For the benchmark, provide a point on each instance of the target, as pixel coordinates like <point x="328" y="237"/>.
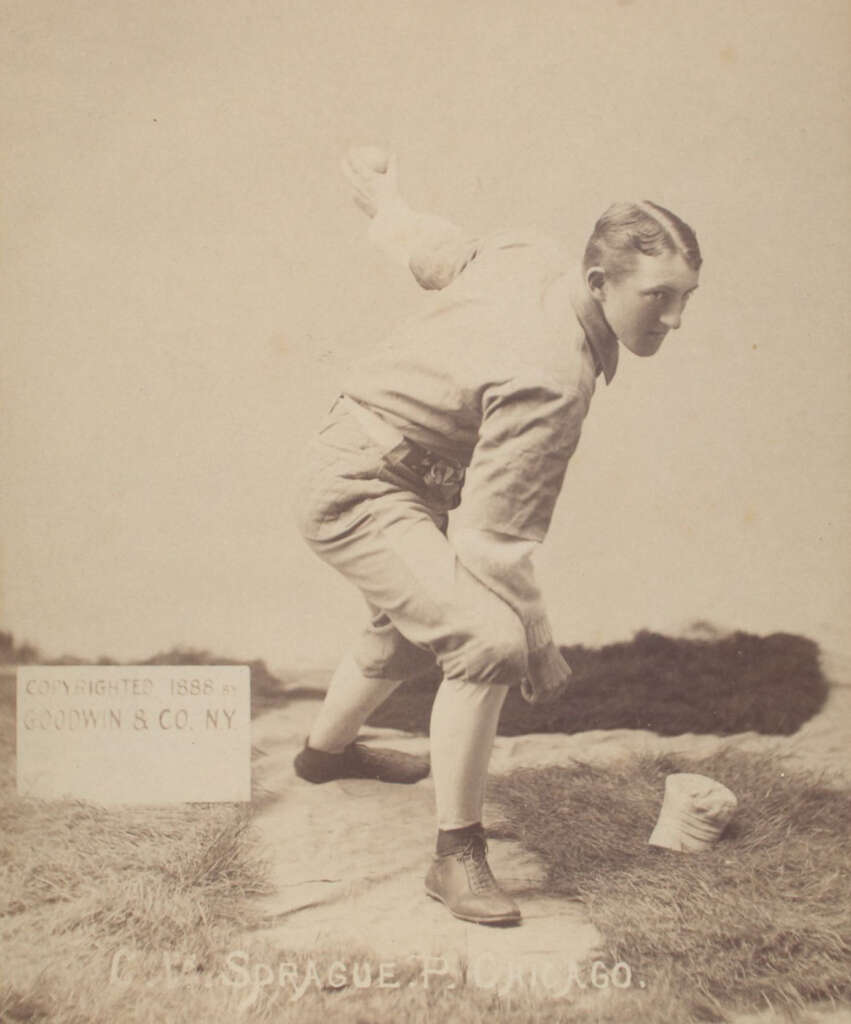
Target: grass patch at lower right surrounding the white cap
<point x="761" y="920"/>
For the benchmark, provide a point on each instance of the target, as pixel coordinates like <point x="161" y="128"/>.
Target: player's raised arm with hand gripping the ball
<point x="434" y="249"/>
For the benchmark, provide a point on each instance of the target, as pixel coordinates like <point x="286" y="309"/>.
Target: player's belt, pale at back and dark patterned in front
<point x="411" y="460"/>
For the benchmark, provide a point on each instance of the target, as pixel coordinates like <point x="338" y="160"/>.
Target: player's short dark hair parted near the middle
<point x="626" y="229"/>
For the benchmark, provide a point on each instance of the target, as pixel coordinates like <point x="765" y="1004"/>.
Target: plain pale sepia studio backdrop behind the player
<point x="185" y="281"/>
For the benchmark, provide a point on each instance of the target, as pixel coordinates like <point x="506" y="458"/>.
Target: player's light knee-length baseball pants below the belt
<point x="391" y="541"/>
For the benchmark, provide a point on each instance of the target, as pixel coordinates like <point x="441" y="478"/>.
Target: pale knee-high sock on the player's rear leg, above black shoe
<point x="352" y="698"/>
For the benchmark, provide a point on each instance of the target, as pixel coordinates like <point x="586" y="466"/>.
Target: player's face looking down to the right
<point x="648" y="302"/>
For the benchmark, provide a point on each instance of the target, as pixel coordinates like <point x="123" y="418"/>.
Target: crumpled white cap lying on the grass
<point x="695" y="814"/>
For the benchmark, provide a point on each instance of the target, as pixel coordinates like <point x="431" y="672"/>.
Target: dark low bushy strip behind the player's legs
<point x="709" y="685"/>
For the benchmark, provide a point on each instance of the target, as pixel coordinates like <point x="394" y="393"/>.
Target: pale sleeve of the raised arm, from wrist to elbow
<point x="434" y="249"/>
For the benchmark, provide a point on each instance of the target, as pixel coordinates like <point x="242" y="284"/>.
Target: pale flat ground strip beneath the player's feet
<point x="349" y="862"/>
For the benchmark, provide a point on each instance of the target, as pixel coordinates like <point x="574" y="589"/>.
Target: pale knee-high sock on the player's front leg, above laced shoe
<point x="464" y="720"/>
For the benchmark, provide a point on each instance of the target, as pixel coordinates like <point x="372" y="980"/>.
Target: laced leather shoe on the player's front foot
<point x="463" y="882"/>
